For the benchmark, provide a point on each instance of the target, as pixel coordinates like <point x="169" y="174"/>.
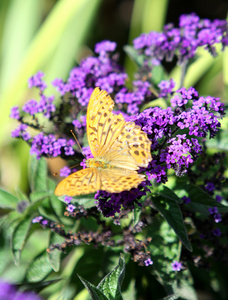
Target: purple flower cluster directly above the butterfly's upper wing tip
<point x="102" y="71"/>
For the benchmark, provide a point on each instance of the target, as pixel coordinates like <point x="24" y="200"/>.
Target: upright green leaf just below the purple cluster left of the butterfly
<point x="38" y="174"/>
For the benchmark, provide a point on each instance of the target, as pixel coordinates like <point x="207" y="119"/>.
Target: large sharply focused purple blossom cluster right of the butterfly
<point x="198" y="115"/>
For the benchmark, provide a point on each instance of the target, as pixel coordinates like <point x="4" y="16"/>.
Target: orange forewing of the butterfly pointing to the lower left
<point x="85" y="181"/>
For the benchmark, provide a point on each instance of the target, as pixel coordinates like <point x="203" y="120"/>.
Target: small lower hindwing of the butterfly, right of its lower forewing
<point x="119" y="180"/>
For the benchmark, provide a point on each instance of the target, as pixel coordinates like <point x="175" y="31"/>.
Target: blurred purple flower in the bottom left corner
<point x="9" y="292"/>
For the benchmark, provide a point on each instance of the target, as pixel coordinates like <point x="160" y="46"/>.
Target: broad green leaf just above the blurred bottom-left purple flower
<point x="39" y="269"/>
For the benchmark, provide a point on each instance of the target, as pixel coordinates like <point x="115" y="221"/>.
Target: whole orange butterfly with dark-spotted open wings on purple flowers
<point x="119" y="148"/>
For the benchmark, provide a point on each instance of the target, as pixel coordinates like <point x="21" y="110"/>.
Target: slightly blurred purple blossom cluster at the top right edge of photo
<point x="182" y="41"/>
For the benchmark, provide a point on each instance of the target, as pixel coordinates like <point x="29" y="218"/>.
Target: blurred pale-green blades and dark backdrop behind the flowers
<point x="52" y="36"/>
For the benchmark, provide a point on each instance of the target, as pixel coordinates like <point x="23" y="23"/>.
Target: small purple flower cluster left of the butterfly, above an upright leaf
<point x="48" y="145"/>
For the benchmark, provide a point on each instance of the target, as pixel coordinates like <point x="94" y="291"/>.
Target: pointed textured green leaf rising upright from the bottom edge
<point x="111" y="283"/>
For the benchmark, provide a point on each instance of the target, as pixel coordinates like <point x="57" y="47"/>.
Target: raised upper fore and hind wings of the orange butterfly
<point x="111" y="137"/>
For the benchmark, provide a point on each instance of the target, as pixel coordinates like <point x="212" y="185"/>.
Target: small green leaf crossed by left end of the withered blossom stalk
<point x="55" y="255"/>
